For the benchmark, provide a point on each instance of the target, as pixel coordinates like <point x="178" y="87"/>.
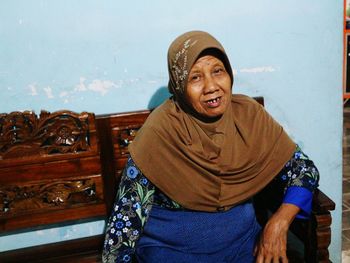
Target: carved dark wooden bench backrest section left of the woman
<point x="50" y="169"/>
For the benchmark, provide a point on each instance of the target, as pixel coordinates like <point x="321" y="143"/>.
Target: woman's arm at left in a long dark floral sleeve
<point x="129" y="215"/>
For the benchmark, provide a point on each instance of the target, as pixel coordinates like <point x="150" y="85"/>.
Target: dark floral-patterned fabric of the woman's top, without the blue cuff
<point x="136" y="195"/>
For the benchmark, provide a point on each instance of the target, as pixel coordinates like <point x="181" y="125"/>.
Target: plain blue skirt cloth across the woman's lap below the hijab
<point x="189" y="236"/>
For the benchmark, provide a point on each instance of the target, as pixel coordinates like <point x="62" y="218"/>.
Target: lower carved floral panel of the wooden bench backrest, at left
<point x="14" y="198"/>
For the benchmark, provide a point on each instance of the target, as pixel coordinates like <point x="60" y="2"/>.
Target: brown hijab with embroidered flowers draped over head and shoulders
<point x="208" y="166"/>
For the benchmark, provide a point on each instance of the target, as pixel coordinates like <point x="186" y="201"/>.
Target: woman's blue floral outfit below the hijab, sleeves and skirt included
<point x="138" y="201"/>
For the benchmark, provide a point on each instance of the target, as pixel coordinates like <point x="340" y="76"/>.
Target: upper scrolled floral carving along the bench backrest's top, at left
<point x="25" y="134"/>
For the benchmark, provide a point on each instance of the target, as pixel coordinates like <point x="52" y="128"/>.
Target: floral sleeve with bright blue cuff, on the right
<point x="300" y="178"/>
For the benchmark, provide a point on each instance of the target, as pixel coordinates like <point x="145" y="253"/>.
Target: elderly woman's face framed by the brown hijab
<point x="208" y="89"/>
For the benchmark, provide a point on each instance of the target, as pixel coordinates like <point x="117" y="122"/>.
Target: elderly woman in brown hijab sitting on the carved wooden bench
<point x="185" y="193"/>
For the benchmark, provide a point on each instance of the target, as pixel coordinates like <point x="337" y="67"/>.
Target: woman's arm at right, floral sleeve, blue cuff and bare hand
<point x="299" y="177"/>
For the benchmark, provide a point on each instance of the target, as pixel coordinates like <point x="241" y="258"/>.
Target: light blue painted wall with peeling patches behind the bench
<point x="110" y="56"/>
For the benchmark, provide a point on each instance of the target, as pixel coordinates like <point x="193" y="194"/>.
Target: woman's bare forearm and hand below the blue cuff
<point x="272" y="245"/>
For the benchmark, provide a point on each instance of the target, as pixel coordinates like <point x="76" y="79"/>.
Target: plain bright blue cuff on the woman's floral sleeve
<point x="302" y="198"/>
